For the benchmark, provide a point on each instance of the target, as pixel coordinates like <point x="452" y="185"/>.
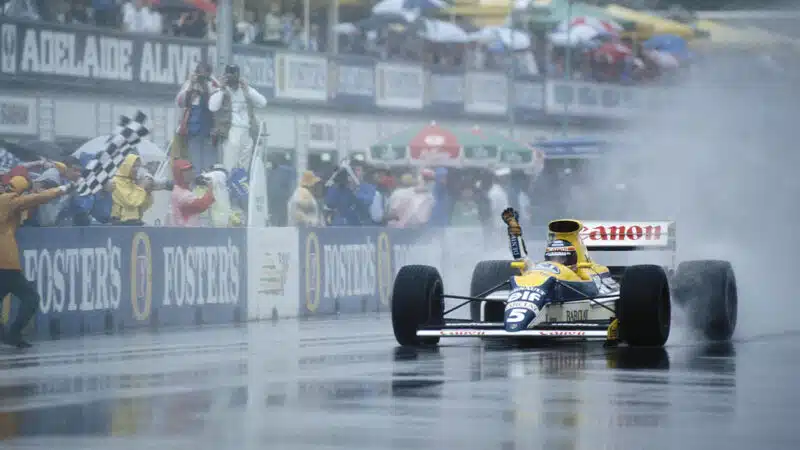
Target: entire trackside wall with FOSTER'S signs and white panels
<point x="116" y="279"/>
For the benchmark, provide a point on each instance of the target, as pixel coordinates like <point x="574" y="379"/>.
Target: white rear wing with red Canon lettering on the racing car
<point x="628" y="236"/>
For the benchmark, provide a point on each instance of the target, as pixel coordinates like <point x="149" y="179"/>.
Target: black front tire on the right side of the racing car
<point x="643" y="308"/>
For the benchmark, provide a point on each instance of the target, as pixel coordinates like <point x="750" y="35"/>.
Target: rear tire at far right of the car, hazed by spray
<point x="708" y="290"/>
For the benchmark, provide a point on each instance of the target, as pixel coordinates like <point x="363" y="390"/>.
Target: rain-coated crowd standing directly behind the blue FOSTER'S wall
<point x="355" y="193"/>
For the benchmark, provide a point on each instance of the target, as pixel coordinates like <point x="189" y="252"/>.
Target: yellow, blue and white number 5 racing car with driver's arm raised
<point x="567" y="295"/>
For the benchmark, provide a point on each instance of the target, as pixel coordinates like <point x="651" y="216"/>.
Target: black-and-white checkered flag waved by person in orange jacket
<point x="119" y="145"/>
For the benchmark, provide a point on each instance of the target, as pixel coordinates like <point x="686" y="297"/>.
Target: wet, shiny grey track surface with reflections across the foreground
<point x="343" y="384"/>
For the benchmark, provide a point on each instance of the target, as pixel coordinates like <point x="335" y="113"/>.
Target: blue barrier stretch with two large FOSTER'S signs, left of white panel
<point x="111" y="279"/>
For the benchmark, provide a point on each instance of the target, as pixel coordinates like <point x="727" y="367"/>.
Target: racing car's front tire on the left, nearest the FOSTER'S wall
<point x="416" y="301"/>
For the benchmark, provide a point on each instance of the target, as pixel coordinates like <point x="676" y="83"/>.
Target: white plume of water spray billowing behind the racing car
<point x="720" y="156"/>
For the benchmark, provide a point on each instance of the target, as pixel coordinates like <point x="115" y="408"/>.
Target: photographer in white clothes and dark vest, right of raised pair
<point x="235" y="124"/>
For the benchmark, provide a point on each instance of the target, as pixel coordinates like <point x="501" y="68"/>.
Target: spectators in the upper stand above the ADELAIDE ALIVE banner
<point x="608" y="58"/>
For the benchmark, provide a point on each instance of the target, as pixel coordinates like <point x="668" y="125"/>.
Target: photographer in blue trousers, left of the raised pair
<point x="193" y="140"/>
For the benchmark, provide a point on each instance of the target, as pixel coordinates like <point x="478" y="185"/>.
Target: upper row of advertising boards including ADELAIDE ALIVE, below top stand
<point x="74" y="57"/>
